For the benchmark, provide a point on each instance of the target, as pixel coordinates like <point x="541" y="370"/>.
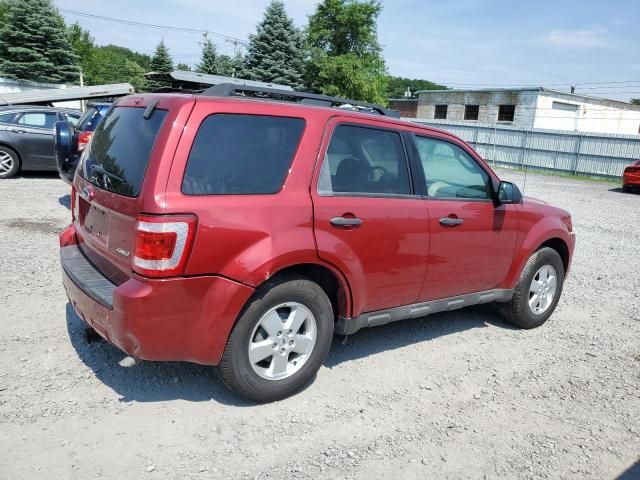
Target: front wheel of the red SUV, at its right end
<point x="518" y="311"/>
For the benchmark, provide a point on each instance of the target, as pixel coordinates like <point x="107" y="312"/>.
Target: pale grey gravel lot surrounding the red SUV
<point x="456" y="395"/>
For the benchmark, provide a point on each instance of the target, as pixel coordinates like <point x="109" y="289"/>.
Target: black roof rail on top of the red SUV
<point x="262" y="92"/>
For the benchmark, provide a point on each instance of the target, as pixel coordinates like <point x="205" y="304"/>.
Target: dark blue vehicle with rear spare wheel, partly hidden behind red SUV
<point x="71" y="138"/>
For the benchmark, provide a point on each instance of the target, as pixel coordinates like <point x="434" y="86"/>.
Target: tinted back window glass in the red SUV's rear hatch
<point x="120" y="149"/>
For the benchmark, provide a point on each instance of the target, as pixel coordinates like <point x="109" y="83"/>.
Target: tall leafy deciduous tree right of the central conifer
<point x="345" y="58"/>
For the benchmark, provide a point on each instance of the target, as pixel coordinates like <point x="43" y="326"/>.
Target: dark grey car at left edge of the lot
<point x="26" y="137"/>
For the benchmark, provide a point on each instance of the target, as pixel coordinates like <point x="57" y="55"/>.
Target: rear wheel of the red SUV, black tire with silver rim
<point x="280" y="300"/>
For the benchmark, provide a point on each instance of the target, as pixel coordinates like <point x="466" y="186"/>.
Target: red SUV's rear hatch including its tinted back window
<point x="122" y="174"/>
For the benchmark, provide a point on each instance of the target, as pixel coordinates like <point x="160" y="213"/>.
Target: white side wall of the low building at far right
<point x="560" y="112"/>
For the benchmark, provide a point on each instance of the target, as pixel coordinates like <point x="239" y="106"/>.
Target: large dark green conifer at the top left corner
<point x="34" y="44"/>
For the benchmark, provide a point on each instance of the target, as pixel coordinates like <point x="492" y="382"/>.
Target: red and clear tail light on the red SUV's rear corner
<point x="163" y="244"/>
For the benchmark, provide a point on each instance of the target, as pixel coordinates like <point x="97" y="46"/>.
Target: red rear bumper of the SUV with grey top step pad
<point x="180" y="319"/>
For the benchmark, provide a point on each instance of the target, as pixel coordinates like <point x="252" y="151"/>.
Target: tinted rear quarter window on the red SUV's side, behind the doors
<point x="241" y="154"/>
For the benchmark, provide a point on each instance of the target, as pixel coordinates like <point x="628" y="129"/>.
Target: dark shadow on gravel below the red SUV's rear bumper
<point x="147" y="381"/>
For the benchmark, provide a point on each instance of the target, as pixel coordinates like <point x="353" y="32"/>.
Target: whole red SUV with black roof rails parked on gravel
<point x="244" y="226"/>
